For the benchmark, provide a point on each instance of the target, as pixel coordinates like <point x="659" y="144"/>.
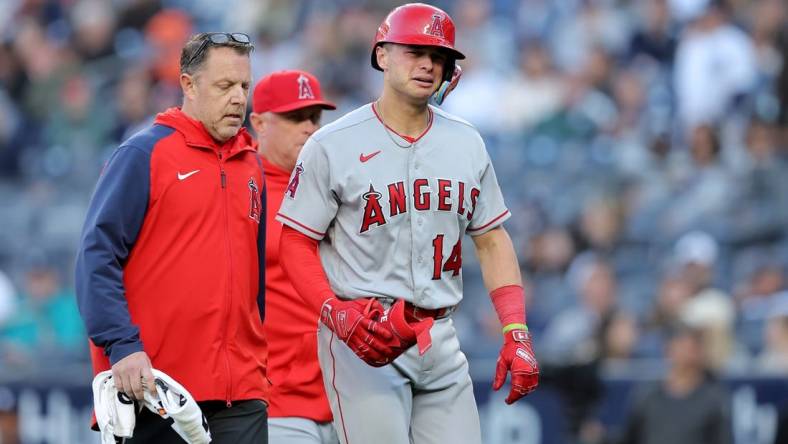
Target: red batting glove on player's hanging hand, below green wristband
<point x="517" y="357"/>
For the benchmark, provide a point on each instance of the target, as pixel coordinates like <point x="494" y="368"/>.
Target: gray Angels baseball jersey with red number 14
<point x="392" y="212"/>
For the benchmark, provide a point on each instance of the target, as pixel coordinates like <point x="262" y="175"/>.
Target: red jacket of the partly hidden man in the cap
<point x="291" y="325"/>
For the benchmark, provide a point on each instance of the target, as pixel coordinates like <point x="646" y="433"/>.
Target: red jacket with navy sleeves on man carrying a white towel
<point x="171" y="259"/>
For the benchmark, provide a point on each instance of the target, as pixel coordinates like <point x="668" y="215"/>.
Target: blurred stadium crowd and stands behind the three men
<point x="641" y="145"/>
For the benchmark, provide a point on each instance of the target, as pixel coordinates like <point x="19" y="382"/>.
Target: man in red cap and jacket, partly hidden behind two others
<point x="287" y="106"/>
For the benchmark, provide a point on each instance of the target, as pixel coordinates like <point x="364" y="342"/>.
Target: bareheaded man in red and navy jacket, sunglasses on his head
<point x="169" y="271"/>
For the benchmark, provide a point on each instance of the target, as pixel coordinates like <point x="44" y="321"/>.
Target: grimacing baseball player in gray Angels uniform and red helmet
<point x="375" y="213"/>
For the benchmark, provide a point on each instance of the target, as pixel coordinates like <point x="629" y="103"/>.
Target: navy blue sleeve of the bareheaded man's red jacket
<point x="115" y="216"/>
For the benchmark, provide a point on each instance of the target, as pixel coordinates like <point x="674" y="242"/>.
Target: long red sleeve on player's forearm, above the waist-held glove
<point x="300" y="260"/>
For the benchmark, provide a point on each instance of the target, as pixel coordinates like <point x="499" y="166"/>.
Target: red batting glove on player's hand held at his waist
<point x="355" y="323"/>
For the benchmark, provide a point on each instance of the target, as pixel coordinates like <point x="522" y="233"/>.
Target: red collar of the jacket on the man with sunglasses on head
<point x="197" y="136"/>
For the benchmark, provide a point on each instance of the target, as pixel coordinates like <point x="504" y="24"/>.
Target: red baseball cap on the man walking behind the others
<point x="285" y="91"/>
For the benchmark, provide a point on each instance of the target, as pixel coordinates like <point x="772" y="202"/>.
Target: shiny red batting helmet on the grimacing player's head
<point x="418" y="24"/>
